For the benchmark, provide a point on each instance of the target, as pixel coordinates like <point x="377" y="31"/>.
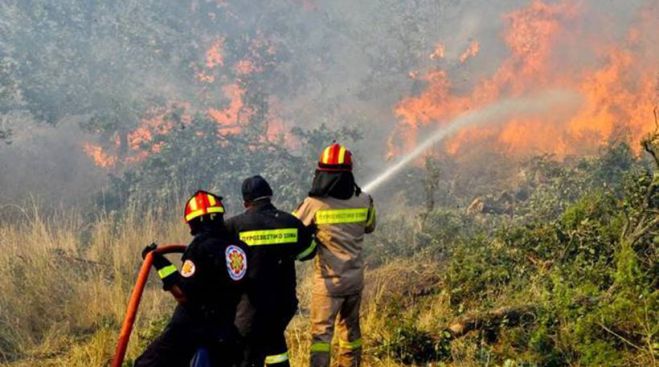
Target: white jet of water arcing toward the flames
<point x="495" y="112"/>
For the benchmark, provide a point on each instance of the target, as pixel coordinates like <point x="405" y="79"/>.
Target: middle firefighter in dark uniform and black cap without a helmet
<point x="275" y="239"/>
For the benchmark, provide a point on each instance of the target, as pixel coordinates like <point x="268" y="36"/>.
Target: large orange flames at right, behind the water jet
<point x="613" y="78"/>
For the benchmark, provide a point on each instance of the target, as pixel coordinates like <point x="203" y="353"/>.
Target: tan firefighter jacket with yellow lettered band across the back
<point x="339" y="266"/>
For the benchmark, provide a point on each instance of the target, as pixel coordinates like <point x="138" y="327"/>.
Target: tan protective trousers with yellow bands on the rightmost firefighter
<point x="324" y="312"/>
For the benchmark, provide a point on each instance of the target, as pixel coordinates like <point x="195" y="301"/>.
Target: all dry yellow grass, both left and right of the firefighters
<point x="66" y="279"/>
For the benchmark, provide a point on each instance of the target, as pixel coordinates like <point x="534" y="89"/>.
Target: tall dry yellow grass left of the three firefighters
<point x="65" y="283"/>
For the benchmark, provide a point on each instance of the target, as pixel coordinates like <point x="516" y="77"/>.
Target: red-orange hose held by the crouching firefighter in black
<point x="134" y="302"/>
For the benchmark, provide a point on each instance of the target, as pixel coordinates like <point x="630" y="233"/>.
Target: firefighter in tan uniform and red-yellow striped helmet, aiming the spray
<point x="342" y="214"/>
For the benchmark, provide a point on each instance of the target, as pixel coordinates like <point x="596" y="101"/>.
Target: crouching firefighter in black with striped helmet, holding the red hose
<point x="207" y="288"/>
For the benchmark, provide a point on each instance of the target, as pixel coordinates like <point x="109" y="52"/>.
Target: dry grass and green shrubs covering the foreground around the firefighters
<point x="565" y="276"/>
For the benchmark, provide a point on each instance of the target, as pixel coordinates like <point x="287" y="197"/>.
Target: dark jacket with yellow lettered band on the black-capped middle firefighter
<point x="275" y="239"/>
